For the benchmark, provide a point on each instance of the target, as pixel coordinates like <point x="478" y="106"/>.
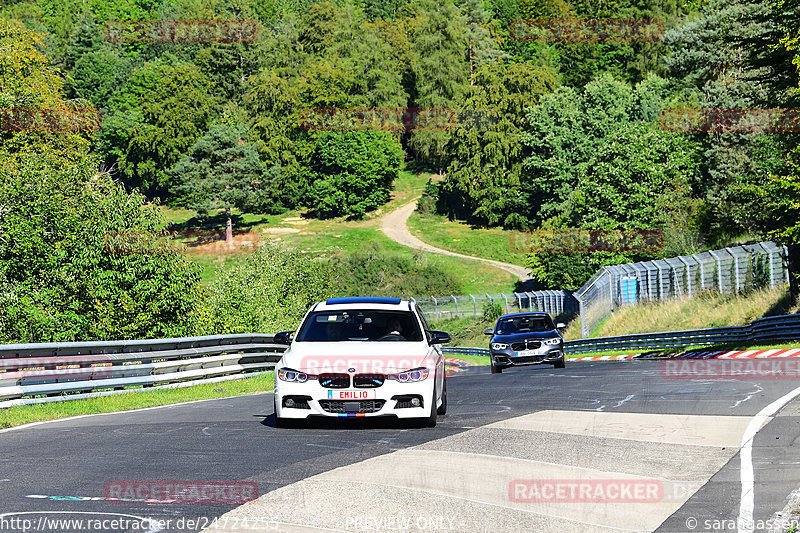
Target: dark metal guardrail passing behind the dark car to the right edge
<point x="772" y="329"/>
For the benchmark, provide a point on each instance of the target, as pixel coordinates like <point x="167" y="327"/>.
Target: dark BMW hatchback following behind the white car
<point x="521" y="339"/>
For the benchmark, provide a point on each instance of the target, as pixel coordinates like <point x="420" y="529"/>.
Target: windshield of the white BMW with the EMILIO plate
<point x="360" y="325"/>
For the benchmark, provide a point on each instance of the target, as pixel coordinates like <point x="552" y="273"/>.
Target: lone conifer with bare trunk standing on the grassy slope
<point x="223" y="170"/>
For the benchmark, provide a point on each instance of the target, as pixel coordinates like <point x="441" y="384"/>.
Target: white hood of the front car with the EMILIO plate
<point x="367" y="358"/>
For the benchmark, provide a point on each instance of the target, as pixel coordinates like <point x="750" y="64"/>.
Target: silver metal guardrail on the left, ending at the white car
<point x="40" y="373"/>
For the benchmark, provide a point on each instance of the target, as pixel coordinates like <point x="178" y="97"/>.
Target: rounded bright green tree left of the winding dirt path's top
<point x="353" y="172"/>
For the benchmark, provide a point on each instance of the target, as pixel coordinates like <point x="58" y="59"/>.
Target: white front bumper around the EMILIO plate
<point x="390" y="399"/>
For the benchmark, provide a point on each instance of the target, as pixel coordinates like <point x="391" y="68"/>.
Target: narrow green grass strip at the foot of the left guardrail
<point x="25" y="414"/>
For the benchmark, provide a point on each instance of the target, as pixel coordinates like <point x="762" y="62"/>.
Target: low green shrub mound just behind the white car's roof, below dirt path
<point x="372" y="271"/>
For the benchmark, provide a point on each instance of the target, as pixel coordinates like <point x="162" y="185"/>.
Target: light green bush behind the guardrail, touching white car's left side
<point x="269" y="290"/>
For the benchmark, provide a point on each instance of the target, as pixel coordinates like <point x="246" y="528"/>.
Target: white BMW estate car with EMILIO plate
<point x="361" y="357"/>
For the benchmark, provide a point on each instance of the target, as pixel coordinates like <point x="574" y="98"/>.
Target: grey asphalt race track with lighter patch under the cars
<point x="503" y="459"/>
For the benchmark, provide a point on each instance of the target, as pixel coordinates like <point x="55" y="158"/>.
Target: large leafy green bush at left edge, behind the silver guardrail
<point x="59" y="281"/>
